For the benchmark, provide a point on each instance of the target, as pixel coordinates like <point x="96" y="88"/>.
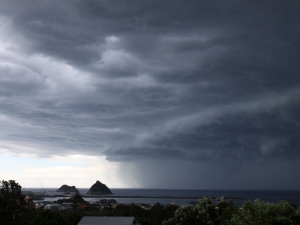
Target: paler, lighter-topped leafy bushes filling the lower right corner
<point x="224" y="213"/>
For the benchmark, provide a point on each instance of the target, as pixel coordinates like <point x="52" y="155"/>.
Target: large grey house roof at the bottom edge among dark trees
<point x="99" y="220"/>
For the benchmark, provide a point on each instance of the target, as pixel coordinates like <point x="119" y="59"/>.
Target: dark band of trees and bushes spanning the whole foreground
<point x="222" y="212"/>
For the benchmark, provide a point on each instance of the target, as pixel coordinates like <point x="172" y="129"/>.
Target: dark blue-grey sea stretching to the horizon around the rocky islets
<point x="182" y="197"/>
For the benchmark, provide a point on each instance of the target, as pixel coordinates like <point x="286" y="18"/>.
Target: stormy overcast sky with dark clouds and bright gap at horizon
<point x="150" y="94"/>
